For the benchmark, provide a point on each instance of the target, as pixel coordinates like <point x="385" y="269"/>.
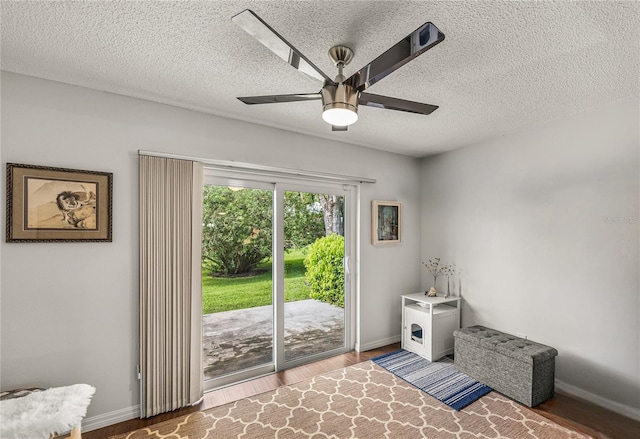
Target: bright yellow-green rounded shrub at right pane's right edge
<point x="325" y="270"/>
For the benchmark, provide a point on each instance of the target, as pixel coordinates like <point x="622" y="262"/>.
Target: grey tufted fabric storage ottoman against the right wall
<point x="520" y="369"/>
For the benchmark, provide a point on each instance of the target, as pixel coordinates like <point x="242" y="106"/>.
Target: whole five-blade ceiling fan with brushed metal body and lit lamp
<point x="341" y="96"/>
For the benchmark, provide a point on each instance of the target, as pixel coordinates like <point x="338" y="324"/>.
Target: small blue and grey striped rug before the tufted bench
<point x="440" y="380"/>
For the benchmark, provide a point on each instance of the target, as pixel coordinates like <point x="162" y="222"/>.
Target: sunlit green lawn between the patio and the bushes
<point x="226" y="294"/>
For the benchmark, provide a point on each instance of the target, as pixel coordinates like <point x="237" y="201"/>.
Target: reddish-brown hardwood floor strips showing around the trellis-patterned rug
<point x="563" y="409"/>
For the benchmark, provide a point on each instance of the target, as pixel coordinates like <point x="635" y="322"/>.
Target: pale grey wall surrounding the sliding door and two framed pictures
<point x="70" y="310"/>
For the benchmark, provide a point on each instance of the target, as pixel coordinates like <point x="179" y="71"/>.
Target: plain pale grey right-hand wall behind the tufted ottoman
<point x="544" y="228"/>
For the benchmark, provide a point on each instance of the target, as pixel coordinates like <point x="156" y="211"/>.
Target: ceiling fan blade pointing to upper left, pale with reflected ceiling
<point x="273" y="41"/>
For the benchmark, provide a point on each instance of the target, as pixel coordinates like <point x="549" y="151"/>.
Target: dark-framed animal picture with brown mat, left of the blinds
<point x="58" y="204"/>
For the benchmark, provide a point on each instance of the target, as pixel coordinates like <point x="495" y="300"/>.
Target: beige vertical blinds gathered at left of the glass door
<point x="170" y="284"/>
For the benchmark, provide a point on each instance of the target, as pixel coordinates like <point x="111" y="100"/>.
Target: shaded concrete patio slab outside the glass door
<point x="234" y="340"/>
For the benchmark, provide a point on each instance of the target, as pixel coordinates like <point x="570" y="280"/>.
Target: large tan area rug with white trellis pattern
<point x="359" y="401"/>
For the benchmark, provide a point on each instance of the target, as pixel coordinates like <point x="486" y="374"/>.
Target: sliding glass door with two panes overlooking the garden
<point x="276" y="285"/>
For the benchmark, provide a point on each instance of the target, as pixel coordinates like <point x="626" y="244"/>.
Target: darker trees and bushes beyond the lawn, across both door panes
<point x="237" y="225"/>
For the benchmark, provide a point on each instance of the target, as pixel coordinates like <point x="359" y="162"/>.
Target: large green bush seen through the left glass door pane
<point x="236" y="233"/>
